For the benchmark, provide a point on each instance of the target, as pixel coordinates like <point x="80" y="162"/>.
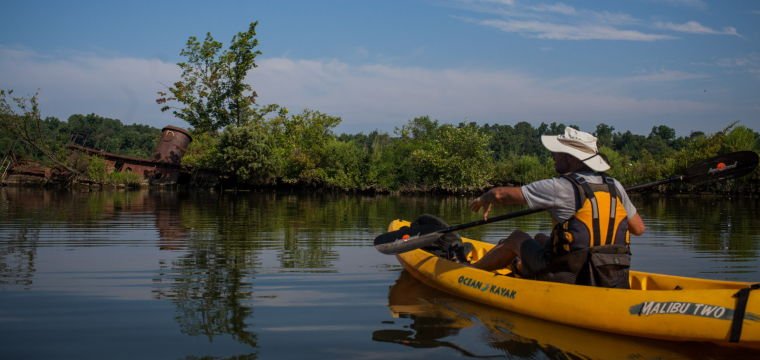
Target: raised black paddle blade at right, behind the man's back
<point x="721" y="167"/>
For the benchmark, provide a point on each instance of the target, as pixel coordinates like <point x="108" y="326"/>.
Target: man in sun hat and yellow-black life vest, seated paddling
<point x="591" y="212"/>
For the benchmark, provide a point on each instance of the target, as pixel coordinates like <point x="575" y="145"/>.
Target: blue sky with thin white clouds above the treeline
<point x="693" y="65"/>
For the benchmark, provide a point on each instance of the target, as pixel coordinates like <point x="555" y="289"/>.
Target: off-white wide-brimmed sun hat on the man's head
<point x="581" y="145"/>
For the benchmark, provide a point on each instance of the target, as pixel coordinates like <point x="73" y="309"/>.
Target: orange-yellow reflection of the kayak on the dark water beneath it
<point x="438" y="319"/>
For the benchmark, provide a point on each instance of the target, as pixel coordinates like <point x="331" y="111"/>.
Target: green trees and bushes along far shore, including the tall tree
<point x="251" y="146"/>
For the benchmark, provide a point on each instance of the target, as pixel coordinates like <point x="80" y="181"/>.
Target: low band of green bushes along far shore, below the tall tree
<point x="302" y="152"/>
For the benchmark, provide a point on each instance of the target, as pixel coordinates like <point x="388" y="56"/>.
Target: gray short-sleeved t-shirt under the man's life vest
<point x="558" y="196"/>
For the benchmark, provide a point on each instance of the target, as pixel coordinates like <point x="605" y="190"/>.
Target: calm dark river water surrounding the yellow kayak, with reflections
<point x="172" y="275"/>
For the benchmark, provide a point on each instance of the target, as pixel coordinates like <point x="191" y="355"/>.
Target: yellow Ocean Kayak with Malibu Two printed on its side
<point x="657" y="306"/>
